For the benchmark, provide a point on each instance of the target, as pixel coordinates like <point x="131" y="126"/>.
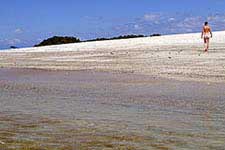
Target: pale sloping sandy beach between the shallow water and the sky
<point x="173" y="56"/>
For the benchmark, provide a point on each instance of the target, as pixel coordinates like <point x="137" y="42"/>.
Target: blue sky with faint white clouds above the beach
<point x="24" y="23"/>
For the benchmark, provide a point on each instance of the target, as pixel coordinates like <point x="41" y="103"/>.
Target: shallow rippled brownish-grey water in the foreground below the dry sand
<point x="42" y="109"/>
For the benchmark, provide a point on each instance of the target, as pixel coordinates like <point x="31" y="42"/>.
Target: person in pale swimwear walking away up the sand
<point x="206" y="35"/>
